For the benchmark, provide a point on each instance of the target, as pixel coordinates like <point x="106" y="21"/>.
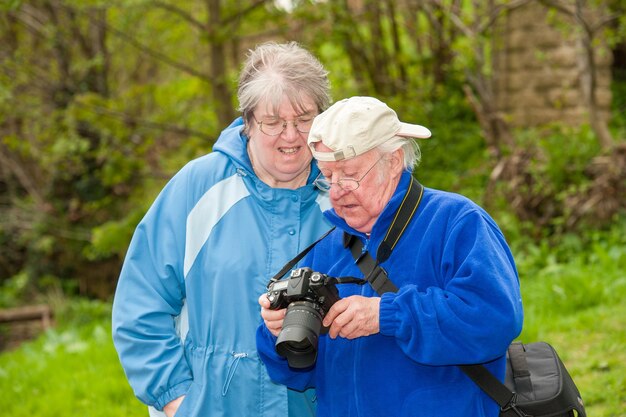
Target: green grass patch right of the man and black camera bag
<point x="574" y="299"/>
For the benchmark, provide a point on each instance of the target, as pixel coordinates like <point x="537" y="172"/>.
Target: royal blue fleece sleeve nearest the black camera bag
<point x="474" y="311"/>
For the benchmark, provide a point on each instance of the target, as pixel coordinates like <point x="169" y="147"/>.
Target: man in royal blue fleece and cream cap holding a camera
<point x="454" y="293"/>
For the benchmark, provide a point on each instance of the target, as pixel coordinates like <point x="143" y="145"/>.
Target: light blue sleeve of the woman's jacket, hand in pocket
<point x="149" y="295"/>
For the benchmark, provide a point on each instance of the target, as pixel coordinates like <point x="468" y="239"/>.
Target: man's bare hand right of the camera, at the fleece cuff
<point x="353" y="317"/>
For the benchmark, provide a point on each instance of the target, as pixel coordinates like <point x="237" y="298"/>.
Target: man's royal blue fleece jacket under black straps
<point x="458" y="303"/>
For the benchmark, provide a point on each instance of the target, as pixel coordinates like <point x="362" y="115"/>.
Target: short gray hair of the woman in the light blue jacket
<point x="273" y="71"/>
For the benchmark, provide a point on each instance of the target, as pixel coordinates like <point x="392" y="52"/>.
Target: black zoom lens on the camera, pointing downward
<point x="297" y="340"/>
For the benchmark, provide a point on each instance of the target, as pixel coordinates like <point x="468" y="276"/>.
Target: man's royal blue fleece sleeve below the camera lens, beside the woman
<point x="277" y="367"/>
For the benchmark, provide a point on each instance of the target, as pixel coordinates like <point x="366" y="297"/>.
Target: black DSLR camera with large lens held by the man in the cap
<point x="308" y="296"/>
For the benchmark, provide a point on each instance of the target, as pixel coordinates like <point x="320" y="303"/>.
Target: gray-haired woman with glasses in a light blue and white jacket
<point x="185" y="309"/>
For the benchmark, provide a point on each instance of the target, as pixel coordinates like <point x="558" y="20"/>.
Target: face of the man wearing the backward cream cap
<point x="360" y="208"/>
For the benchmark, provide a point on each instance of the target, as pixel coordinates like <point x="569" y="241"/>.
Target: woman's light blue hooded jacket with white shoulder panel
<point x="186" y="306"/>
